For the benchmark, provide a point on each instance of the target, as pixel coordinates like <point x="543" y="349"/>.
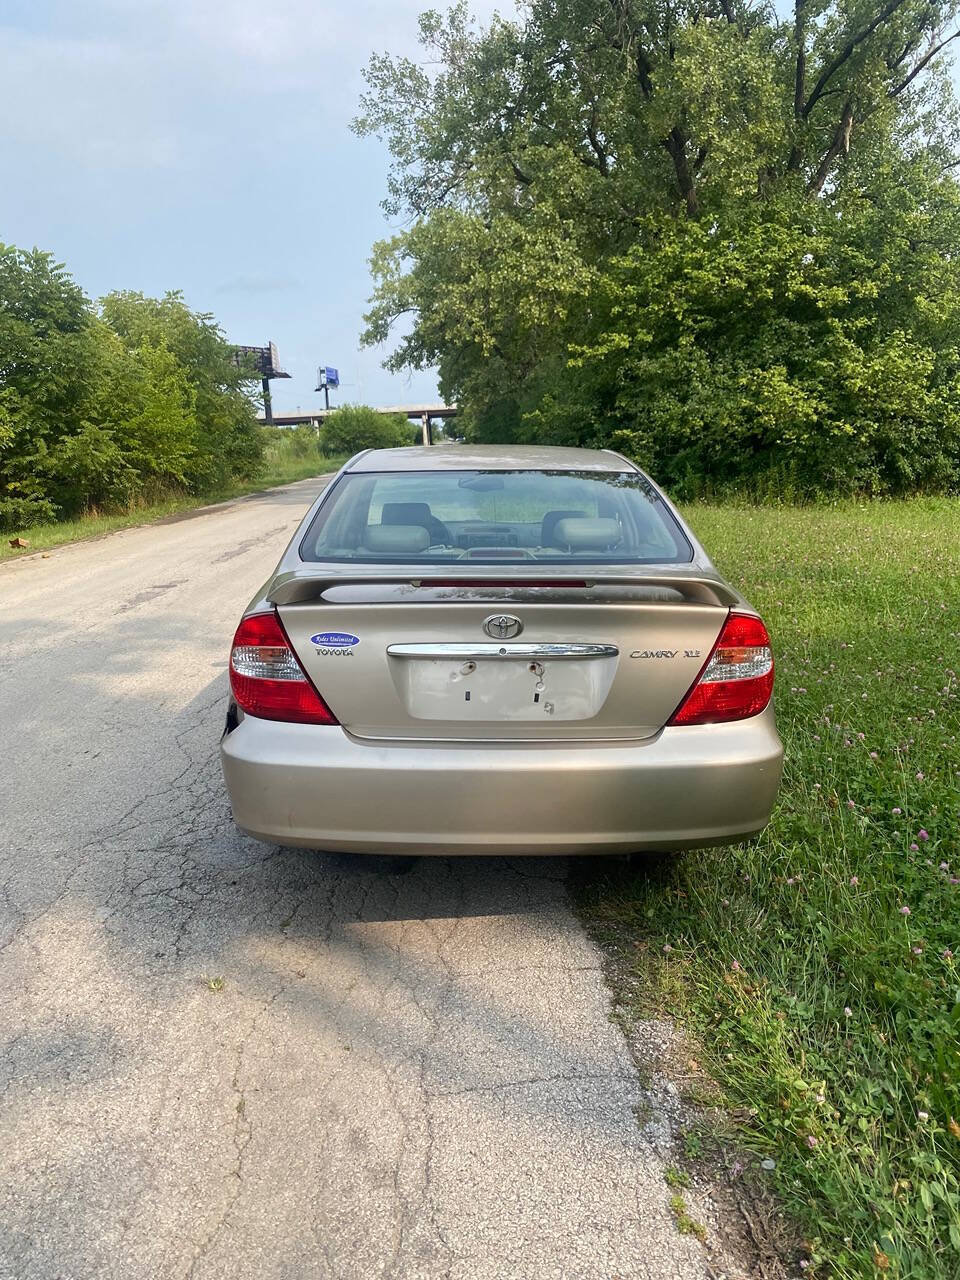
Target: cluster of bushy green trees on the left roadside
<point x="115" y="405"/>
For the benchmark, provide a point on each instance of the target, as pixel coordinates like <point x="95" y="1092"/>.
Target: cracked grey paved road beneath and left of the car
<point x="406" y="1072"/>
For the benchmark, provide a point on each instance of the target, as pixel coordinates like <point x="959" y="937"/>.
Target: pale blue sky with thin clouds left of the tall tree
<point x="205" y="147"/>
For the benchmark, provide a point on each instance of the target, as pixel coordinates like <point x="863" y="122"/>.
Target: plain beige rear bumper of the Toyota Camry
<point x="318" y="788"/>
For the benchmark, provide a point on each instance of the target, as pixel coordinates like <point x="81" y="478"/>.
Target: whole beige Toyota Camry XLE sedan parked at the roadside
<point x="499" y="651"/>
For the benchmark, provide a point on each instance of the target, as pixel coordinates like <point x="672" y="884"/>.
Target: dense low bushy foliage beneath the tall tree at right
<point x="789" y="350"/>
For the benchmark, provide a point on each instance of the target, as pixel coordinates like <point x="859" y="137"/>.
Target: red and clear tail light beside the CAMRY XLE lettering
<point x="737" y="682"/>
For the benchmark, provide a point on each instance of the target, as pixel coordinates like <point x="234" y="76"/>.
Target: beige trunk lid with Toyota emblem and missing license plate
<point x="413" y="659"/>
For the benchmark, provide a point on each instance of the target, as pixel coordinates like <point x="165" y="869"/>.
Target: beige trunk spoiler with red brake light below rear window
<point x="308" y="586"/>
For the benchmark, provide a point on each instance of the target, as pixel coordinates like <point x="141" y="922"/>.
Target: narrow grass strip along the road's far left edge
<point x="277" y="472"/>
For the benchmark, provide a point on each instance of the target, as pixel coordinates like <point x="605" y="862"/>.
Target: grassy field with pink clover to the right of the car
<point x="816" y="966"/>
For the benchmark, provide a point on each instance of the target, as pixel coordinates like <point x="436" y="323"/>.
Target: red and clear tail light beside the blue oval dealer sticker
<point x="268" y="680"/>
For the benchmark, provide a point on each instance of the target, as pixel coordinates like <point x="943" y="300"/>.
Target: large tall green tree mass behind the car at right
<point x="627" y="212"/>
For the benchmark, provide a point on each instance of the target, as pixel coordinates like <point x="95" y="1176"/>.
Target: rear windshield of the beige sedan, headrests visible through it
<point x="495" y="516"/>
